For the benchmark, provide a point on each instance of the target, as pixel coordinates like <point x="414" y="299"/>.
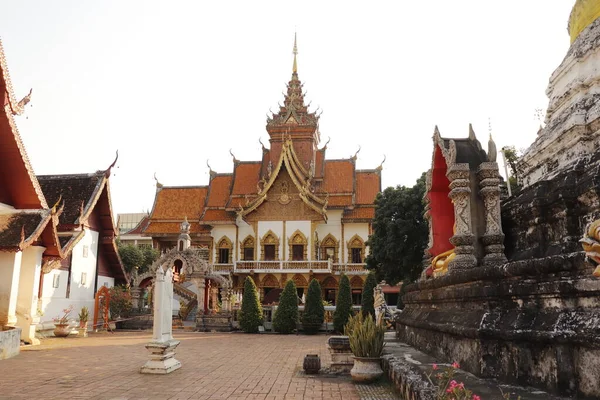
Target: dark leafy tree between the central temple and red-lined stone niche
<point x="399" y="233"/>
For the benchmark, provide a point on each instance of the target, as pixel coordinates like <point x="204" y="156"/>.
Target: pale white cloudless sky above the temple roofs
<point x="171" y="84"/>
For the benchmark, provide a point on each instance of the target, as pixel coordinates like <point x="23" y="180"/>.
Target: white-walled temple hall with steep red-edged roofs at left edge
<point x="57" y="238"/>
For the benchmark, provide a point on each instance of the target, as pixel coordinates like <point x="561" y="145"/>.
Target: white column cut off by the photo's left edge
<point x="10" y="269"/>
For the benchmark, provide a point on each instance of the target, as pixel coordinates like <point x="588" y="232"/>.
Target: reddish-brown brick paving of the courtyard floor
<point x="214" y="366"/>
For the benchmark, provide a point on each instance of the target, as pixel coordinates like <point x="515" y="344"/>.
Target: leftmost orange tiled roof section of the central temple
<point x="178" y="202"/>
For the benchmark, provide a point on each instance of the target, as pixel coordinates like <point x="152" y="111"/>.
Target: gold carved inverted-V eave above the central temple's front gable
<point x="302" y="182"/>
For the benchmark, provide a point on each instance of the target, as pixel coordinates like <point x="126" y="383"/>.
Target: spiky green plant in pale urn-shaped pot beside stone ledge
<point x="366" y="342"/>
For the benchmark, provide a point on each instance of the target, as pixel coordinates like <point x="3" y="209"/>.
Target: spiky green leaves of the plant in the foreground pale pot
<point x="365" y="335"/>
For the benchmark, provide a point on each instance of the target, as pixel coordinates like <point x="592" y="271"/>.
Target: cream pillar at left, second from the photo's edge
<point x="27" y="299"/>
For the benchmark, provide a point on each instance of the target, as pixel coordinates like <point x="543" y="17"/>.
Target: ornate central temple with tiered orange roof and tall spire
<point x="291" y="214"/>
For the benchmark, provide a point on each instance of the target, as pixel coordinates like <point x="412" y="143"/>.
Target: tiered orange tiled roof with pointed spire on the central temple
<point x="294" y="139"/>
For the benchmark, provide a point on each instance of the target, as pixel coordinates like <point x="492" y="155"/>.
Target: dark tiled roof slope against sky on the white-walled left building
<point x="75" y="191"/>
